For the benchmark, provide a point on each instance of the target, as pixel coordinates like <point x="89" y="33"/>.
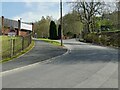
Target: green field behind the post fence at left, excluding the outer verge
<point x="12" y="46"/>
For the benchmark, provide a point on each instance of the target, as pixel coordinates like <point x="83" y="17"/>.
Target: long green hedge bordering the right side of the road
<point x="106" y="39"/>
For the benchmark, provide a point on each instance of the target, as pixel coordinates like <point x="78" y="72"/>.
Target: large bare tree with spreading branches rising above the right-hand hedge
<point x="87" y="11"/>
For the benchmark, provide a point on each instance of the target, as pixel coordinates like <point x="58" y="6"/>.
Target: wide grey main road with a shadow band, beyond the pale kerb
<point x="85" y="66"/>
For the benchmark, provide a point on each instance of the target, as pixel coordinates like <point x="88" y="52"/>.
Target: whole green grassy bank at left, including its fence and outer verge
<point x="15" y="45"/>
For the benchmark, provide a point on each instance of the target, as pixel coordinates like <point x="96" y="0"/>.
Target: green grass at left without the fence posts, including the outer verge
<point x="5" y="47"/>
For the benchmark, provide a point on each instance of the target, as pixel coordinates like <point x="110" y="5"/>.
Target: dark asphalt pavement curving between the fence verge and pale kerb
<point x="41" y="51"/>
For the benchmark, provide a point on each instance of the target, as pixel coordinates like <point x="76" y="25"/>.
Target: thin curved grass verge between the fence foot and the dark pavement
<point x="19" y="54"/>
